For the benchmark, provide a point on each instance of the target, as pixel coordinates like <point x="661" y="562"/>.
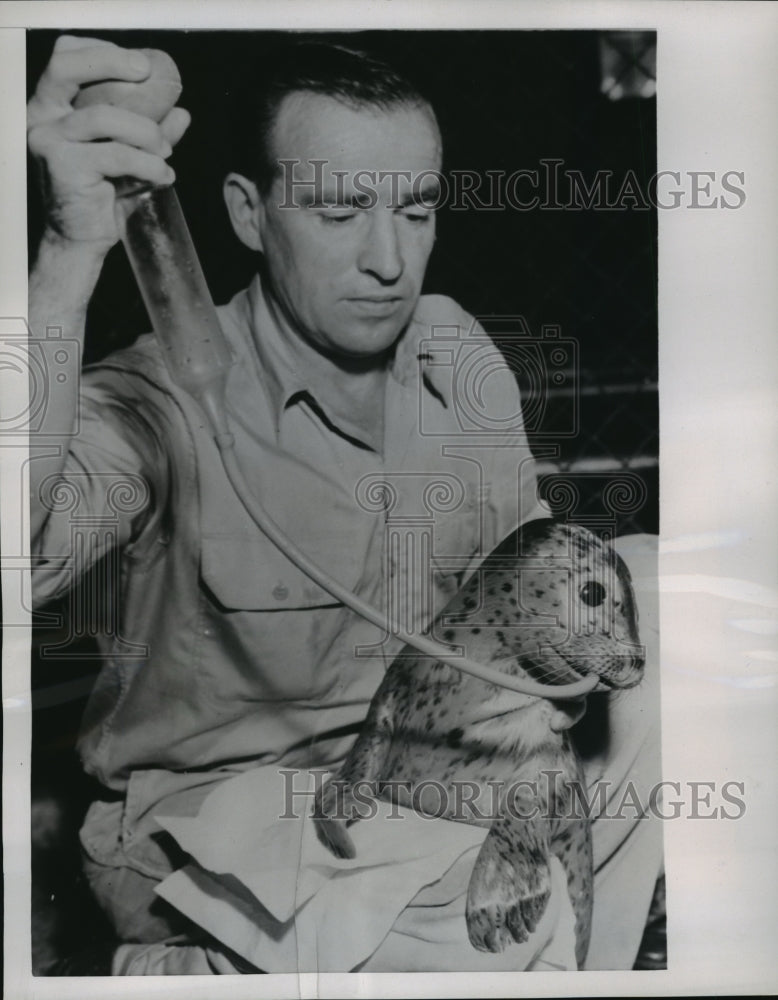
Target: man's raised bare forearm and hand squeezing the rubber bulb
<point x="78" y="152"/>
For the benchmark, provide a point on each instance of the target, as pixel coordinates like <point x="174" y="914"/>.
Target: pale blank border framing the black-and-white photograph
<point x="718" y="353"/>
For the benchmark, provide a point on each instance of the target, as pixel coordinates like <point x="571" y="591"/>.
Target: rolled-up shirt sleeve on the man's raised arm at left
<point x="113" y="479"/>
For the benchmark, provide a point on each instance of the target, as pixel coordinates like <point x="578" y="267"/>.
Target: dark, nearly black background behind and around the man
<point x="505" y="100"/>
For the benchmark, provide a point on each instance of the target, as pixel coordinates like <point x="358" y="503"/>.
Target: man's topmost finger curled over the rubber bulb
<point x="69" y="68"/>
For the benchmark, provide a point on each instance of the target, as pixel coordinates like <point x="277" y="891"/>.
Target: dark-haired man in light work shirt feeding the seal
<point x="243" y="661"/>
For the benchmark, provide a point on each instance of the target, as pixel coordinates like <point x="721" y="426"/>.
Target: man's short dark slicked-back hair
<point x="351" y="76"/>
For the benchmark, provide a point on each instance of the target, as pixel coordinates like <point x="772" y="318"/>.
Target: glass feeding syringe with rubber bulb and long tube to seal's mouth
<point x="198" y="358"/>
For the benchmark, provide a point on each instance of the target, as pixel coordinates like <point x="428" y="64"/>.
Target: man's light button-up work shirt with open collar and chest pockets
<point x="221" y="653"/>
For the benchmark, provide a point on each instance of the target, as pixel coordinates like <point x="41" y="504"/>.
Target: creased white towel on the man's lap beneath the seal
<point x="268" y="889"/>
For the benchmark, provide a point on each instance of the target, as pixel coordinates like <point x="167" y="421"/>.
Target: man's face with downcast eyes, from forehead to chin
<point x="346" y="243"/>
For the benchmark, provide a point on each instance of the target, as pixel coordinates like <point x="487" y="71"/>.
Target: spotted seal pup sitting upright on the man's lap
<point x="552" y="602"/>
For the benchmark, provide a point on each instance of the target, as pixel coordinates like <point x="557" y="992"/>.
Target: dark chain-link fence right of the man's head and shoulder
<point x="573" y="252"/>
